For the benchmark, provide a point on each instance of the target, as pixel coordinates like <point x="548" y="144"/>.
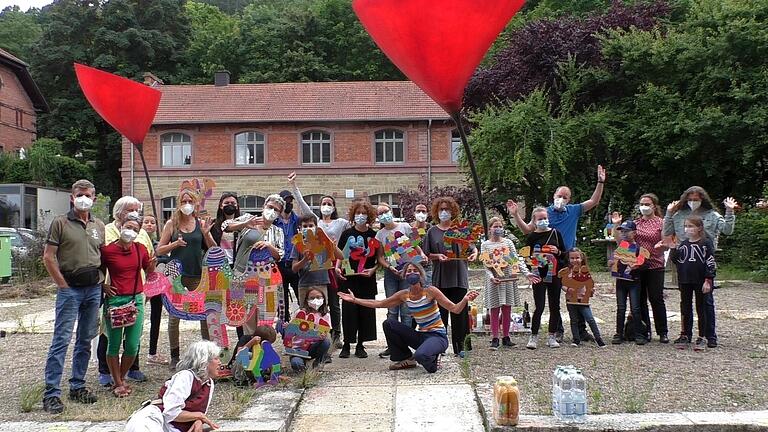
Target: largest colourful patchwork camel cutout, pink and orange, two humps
<point x="222" y="299"/>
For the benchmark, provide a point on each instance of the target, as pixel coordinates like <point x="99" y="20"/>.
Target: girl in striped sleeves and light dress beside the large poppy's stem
<point x="501" y="295"/>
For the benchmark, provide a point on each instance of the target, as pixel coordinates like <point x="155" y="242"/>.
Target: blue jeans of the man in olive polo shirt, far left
<point x="72" y="304"/>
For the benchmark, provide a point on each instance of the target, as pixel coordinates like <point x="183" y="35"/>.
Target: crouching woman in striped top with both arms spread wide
<point x="429" y="339"/>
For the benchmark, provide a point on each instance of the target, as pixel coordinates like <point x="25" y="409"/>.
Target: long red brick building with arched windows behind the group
<point x="345" y="139"/>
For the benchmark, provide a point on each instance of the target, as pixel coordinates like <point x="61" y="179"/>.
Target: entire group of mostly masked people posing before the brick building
<point x="100" y="271"/>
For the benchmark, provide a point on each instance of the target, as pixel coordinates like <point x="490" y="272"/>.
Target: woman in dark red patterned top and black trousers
<point x="648" y="235"/>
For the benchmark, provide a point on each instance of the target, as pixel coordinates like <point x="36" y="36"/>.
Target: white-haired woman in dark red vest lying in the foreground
<point x="184" y="399"/>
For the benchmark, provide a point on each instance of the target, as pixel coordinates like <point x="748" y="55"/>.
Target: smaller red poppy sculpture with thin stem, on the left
<point x="128" y="106"/>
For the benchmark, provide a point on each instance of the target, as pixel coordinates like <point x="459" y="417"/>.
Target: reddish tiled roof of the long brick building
<point x="292" y="102"/>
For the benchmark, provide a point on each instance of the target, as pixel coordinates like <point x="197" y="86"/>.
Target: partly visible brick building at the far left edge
<point x="20" y="102"/>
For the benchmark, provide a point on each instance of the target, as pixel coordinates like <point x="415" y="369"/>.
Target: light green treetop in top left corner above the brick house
<point x="19" y="31"/>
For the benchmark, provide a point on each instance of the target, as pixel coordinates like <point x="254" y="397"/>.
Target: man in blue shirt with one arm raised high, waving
<point x="564" y="217"/>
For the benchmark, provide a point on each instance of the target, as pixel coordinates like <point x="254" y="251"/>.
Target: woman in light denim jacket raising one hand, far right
<point x="695" y="201"/>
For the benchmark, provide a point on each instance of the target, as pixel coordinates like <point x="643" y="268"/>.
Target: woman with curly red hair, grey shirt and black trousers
<point x="450" y="276"/>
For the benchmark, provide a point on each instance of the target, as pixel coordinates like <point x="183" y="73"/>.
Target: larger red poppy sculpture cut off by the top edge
<point x="438" y="44"/>
